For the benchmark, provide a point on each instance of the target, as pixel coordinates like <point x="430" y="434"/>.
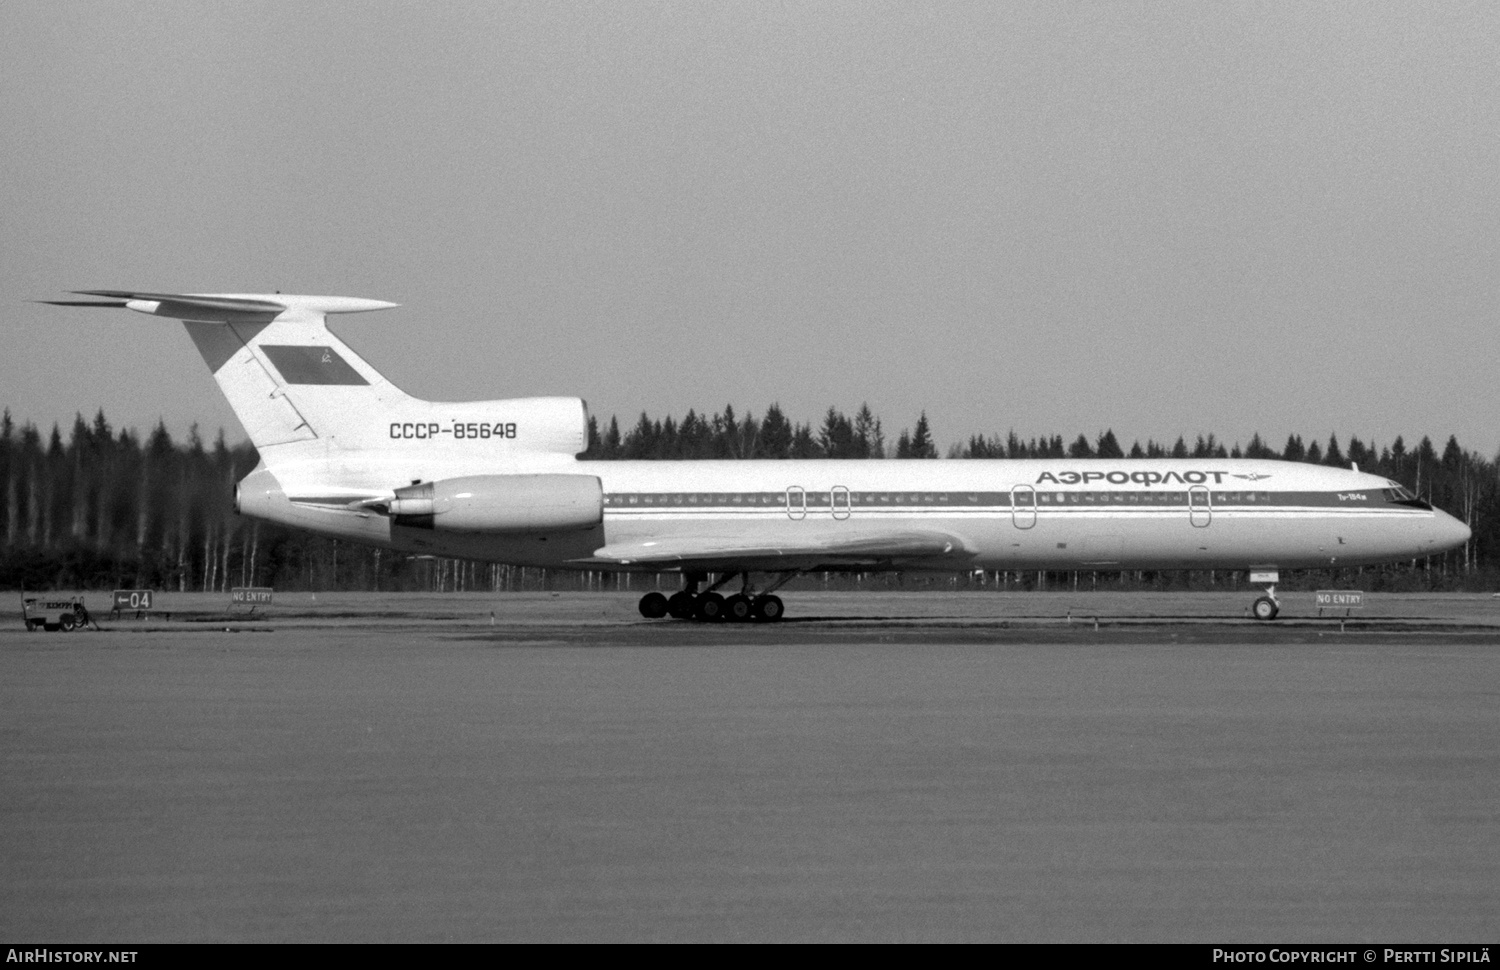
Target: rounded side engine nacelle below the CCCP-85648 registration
<point x="502" y="504"/>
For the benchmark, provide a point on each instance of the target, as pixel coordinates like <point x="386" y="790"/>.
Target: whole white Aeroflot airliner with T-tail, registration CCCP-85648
<point x="347" y="454"/>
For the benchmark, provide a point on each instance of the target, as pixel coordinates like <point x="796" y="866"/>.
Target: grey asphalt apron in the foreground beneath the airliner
<point x="967" y="767"/>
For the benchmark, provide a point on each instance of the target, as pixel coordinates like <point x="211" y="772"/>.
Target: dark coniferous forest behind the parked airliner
<point x="98" y="509"/>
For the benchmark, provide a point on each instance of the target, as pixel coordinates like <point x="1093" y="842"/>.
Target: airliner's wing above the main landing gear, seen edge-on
<point x="721" y="554"/>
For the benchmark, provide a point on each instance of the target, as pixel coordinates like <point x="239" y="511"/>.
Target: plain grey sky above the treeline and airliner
<point x="1057" y="218"/>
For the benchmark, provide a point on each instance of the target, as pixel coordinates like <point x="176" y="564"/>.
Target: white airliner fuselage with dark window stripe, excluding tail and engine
<point x="1007" y="515"/>
